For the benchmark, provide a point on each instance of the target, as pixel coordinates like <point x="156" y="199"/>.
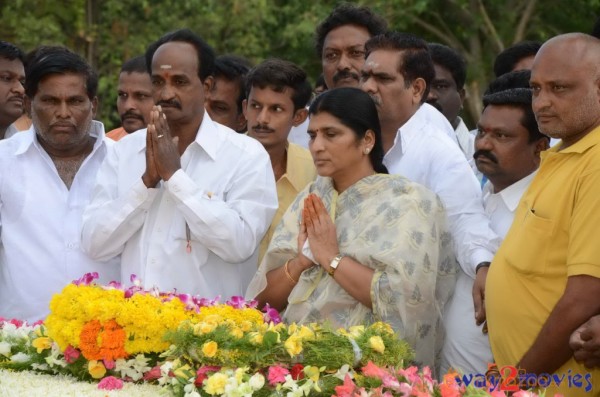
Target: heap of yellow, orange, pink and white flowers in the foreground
<point x="196" y="347"/>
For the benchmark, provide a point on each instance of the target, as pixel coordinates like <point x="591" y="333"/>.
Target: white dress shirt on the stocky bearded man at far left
<point x="41" y="225"/>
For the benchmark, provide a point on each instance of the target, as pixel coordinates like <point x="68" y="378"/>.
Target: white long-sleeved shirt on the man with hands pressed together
<point x="222" y="201"/>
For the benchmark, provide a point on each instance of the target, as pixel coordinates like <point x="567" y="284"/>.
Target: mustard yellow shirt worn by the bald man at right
<point x="553" y="236"/>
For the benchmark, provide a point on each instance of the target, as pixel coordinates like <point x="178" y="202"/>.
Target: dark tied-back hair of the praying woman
<point x="356" y="110"/>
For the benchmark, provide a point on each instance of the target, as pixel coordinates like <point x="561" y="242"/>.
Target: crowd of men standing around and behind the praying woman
<point x="187" y="193"/>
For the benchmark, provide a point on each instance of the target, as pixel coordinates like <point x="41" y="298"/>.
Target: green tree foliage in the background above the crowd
<point x="107" y="32"/>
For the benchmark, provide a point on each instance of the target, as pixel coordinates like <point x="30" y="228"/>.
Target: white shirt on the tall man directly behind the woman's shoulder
<point x="426" y="155"/>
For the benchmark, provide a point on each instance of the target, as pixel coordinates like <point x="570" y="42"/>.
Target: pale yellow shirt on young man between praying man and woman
<point x="300" y="171"/>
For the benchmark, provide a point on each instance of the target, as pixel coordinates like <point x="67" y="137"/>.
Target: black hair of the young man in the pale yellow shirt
<point x="279" y="74"/>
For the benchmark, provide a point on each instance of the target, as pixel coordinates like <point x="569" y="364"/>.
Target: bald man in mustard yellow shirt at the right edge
<point x="544" y="281"/>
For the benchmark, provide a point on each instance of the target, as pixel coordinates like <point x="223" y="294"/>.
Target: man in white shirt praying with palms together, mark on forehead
<point x="186" y="201"/>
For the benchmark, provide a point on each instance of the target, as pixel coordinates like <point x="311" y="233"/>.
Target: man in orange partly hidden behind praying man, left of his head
<point x="134" y="100"/>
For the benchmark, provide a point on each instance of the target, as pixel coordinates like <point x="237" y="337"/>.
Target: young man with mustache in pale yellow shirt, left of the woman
<point x="278" y="92"/>
